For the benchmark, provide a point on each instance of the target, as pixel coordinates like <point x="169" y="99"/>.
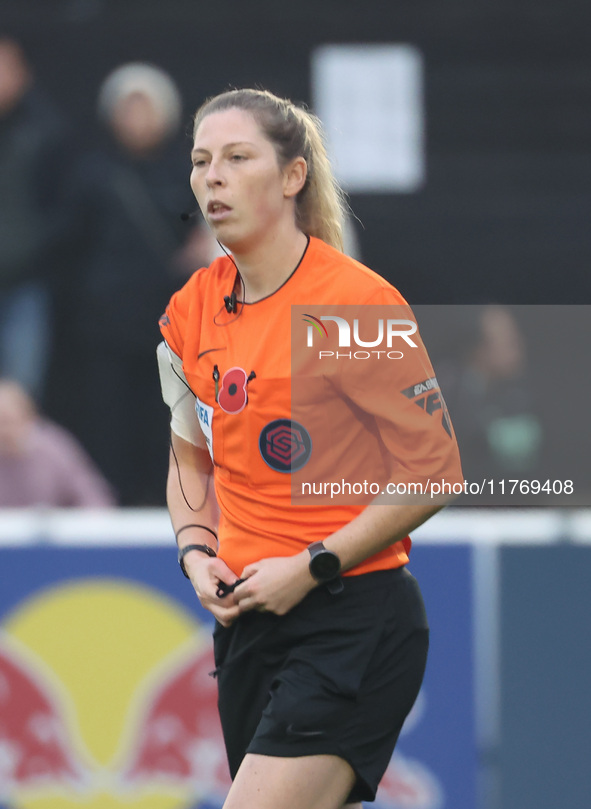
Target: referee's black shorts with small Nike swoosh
<point x="337" y="675"/>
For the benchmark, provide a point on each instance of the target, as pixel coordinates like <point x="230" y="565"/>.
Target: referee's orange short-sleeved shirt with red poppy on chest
<point x="239" y="366"/>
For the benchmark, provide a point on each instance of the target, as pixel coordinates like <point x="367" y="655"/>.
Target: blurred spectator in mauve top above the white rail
<point x="41" y="464"/>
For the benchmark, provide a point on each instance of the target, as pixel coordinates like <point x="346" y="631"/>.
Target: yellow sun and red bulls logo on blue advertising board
<point x="106" y="702"/>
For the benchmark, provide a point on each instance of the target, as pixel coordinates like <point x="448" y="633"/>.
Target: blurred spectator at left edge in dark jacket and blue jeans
<point x="33" y="157"/>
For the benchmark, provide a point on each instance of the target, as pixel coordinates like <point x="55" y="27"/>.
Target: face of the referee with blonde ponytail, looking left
<point x="244" y="194"/>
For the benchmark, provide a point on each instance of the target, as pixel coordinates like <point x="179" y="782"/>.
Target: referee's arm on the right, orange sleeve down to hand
<point x="421" y="446"/>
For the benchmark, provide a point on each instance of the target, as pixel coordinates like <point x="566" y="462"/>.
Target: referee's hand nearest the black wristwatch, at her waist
<point x="275" y="585"/>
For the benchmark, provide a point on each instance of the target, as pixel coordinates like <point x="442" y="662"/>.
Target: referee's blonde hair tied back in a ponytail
<point x="321" y="204"/>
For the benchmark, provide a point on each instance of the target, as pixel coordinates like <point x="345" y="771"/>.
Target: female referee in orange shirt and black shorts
<point x="321" y="636"/>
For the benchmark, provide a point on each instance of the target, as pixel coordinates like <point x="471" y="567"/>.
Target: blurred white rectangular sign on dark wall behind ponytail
<point x="370" y="99"/>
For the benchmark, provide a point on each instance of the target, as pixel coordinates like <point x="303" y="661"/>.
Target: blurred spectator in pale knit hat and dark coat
<point x="128" y="198"/>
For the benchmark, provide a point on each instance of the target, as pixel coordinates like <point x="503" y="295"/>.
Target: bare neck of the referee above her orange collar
<point x="268" y="267"/>
